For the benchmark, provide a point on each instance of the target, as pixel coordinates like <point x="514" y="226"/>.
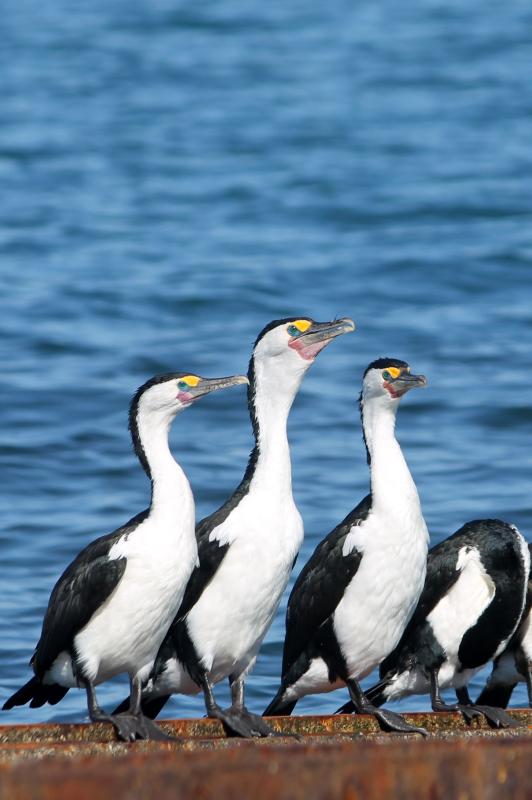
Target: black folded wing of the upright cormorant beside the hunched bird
<point x="321" y="585"/>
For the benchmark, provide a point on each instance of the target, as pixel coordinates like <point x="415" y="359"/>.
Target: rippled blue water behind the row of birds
<point x="174" y="176"/>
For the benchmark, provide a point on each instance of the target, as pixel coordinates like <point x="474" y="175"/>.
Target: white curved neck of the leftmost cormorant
<point x="171" y="492"/>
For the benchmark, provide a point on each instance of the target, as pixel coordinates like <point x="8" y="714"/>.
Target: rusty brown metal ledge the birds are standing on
<point x="344" y="757"/>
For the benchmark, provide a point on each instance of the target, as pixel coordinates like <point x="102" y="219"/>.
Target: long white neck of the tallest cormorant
<point x="275" y="390"/>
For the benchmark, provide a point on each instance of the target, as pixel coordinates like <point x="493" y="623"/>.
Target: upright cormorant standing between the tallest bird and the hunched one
<point x="354" y="597"/>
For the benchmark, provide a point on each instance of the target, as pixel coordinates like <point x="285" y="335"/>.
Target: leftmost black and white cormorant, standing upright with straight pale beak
<point x="111" y="608"/>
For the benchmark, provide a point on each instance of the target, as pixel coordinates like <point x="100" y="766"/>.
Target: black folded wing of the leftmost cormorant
<point x="82" y="588"/>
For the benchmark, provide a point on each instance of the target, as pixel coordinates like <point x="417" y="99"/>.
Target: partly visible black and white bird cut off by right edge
<point x="514" y="664"/>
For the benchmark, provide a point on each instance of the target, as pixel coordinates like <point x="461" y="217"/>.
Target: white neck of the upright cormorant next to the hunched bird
<point x="392" y="486"/>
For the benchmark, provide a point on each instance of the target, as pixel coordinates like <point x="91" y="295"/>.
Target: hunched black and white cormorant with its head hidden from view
<point x="472" y="601"/>
